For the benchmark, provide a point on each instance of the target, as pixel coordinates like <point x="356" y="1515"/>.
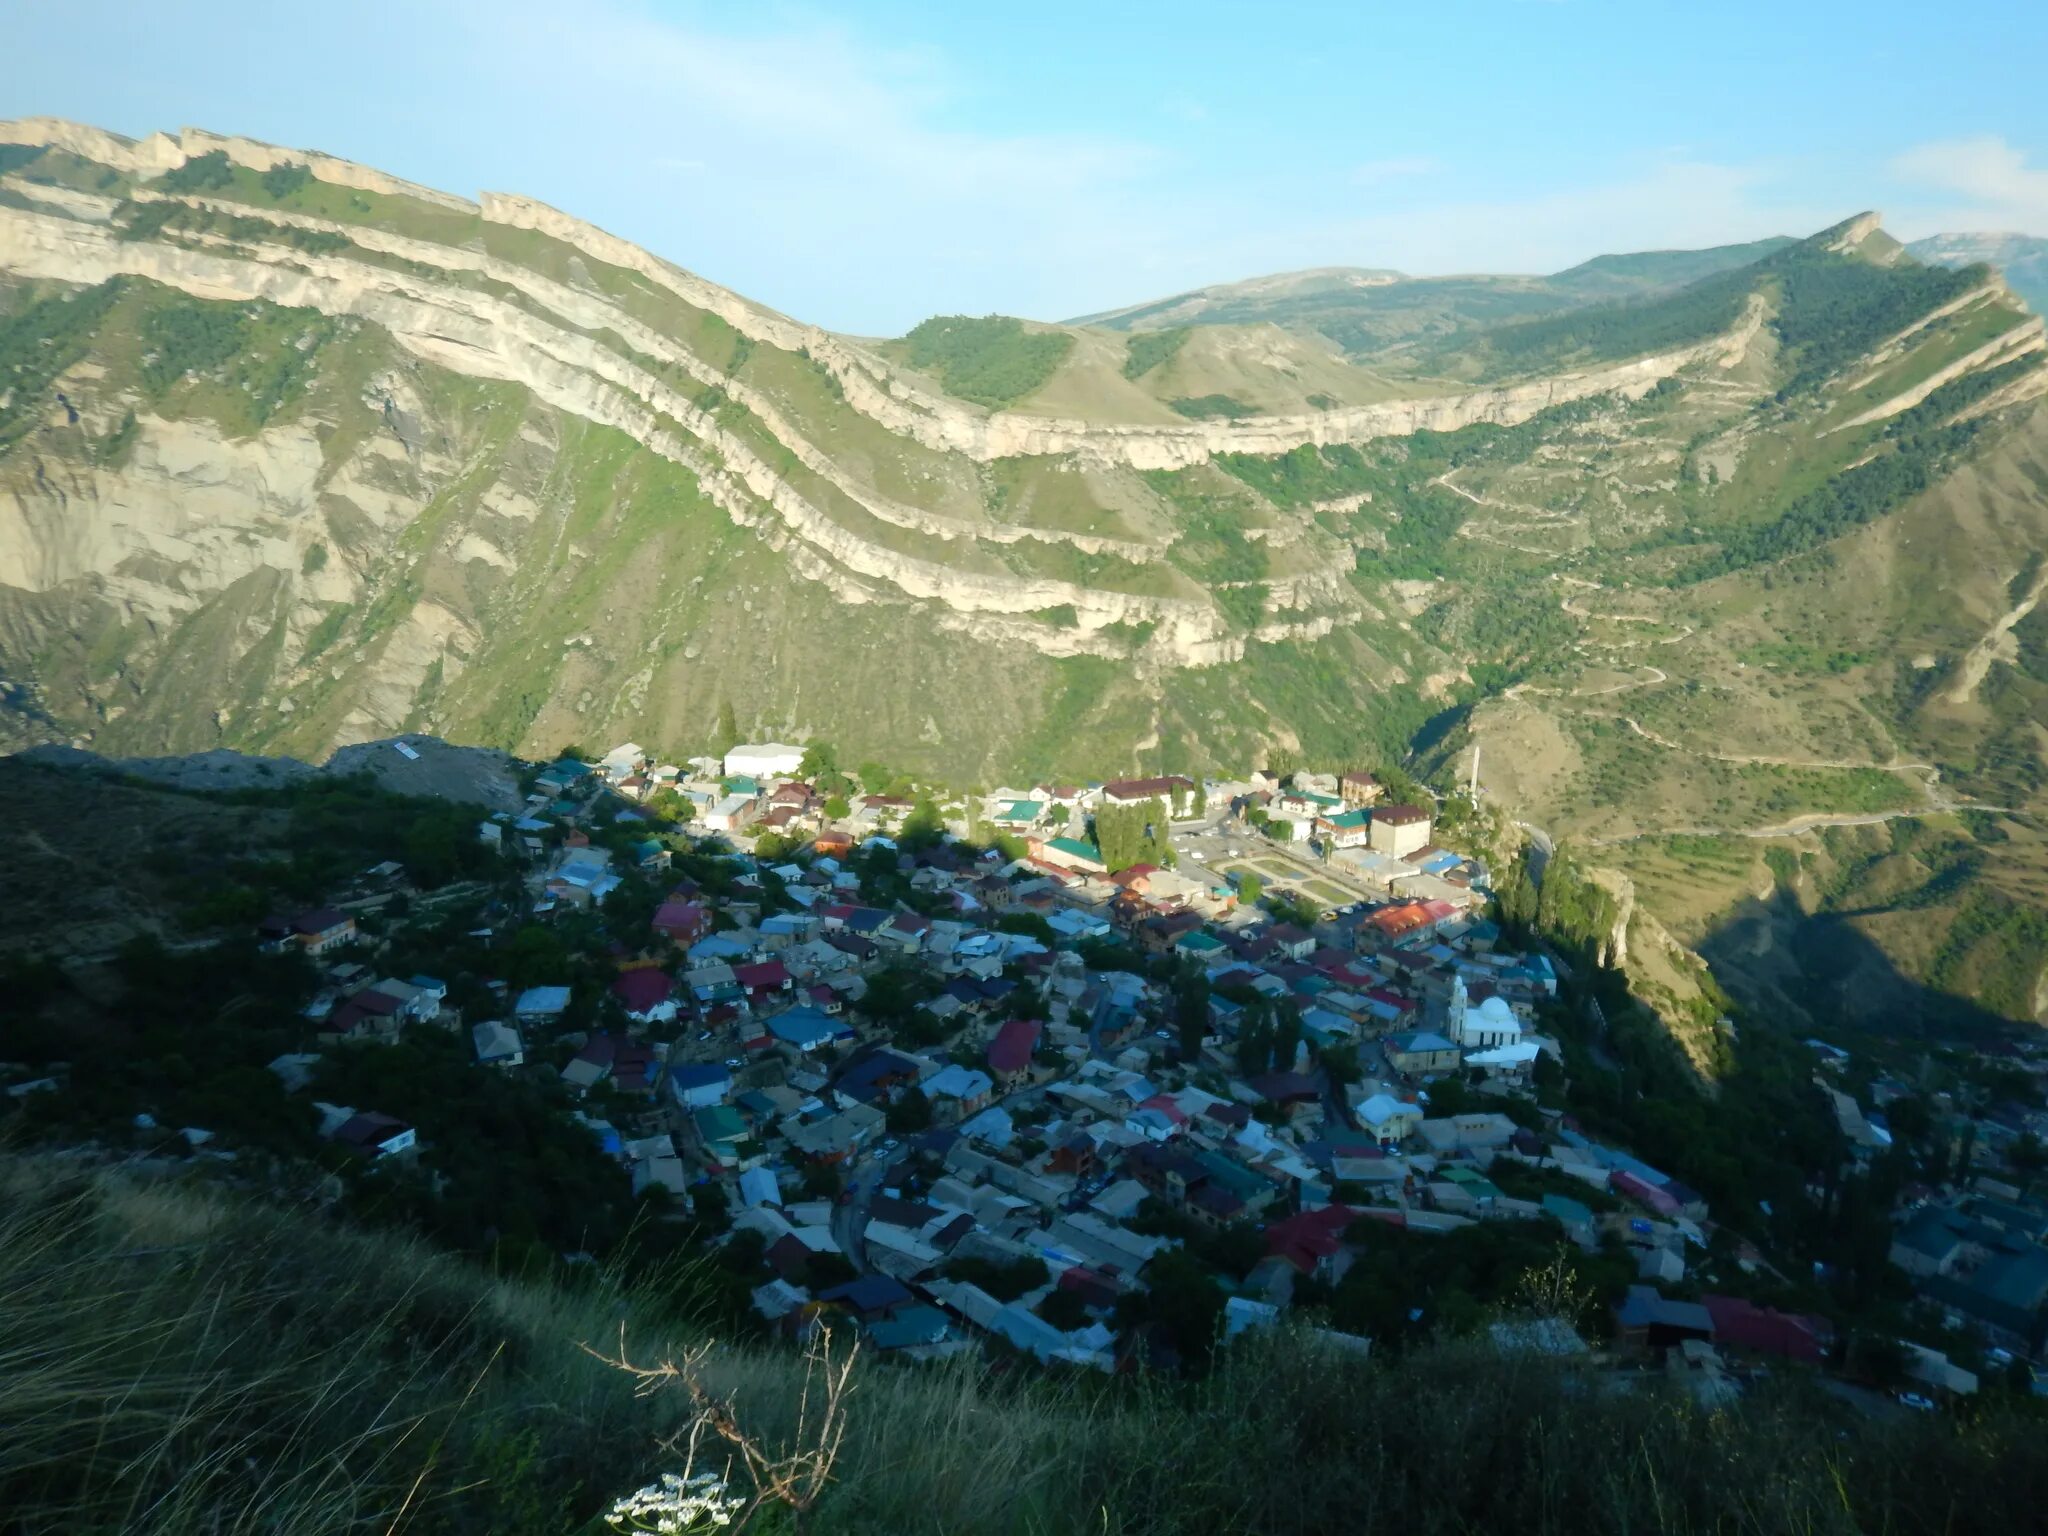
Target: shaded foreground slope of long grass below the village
<point x="181" y="1361"/>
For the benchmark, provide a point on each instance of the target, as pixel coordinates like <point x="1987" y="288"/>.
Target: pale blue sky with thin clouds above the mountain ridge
<point x="869" y="165"/>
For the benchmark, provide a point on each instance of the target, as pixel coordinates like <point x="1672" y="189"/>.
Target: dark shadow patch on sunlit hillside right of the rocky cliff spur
<point x="1820" y="970"/>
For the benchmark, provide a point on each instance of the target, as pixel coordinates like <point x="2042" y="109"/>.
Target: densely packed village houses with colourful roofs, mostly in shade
<point x="1029" y="1070"/>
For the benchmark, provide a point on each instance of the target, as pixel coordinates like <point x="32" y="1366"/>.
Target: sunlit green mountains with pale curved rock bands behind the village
<point x="1730" y="566"/>
